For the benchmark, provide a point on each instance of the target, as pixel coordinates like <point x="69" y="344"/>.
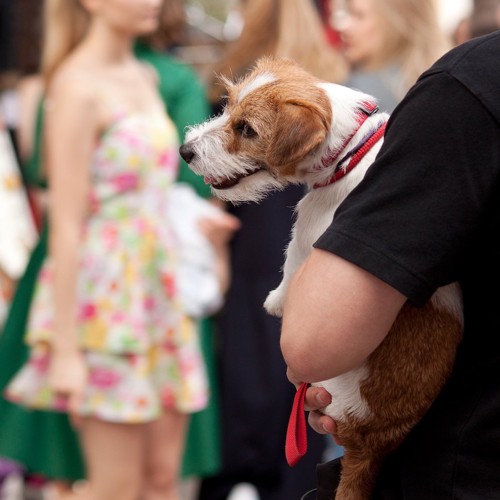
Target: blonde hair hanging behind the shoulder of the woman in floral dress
<point x="65" y="23"/>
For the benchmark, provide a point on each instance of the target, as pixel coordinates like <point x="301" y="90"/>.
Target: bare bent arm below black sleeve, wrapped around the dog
<point x="335" y="315"/>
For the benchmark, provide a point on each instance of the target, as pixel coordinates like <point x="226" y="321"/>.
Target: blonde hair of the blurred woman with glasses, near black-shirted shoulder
<point x="414" y="38"/>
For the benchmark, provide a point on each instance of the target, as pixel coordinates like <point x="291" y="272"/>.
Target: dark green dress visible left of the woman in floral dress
<point x="40" y="441"/>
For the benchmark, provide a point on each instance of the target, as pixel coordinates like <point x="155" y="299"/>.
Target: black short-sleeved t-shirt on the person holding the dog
<point x="427" y="214"/>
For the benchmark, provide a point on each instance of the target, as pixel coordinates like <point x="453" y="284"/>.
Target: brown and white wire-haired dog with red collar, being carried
<point x="281" y="125"/>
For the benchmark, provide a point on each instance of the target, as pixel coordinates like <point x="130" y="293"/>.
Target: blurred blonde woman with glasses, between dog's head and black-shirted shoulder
<point x="389" y="43"/>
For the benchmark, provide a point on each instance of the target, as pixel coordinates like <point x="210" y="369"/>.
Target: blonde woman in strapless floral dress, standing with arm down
<point x="109" y="341"/>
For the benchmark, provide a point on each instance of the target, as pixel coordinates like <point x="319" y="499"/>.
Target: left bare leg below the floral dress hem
<point x="114" y="455"/>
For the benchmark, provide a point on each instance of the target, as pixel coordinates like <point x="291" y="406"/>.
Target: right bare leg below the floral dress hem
<point x="165" y="440"/>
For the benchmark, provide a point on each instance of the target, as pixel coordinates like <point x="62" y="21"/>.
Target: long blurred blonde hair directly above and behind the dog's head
<point x="287" y="28"/>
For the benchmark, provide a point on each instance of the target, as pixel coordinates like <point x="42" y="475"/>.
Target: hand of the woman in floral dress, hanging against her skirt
<point x="68" y="377"/>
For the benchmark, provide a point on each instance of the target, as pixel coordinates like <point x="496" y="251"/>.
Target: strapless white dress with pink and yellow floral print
<point x="142" y="350"/>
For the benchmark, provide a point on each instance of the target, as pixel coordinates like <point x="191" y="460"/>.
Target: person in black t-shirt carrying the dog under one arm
<point x="425" y="215"/>
